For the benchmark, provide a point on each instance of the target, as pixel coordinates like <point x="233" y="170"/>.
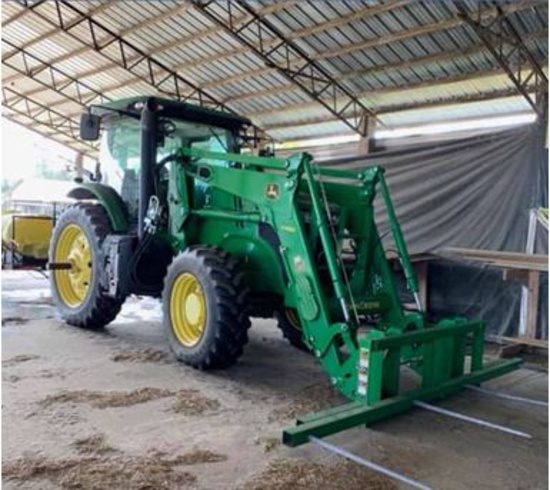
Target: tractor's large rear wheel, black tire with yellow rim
<point x="76" y="291"/>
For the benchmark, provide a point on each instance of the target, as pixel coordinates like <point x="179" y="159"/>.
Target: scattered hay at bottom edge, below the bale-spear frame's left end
<point x="281" y="474"/>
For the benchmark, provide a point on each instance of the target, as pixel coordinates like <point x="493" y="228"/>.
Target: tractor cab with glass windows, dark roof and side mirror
<point x="141" y="133"/>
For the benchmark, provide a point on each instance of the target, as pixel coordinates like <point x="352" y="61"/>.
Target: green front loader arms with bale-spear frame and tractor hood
<point x="363" y="363"/>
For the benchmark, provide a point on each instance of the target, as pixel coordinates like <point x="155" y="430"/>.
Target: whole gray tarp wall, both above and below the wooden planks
<point x="473" y="193"/>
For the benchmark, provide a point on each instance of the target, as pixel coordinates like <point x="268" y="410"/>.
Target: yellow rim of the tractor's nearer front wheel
<point x="187" y="309"/>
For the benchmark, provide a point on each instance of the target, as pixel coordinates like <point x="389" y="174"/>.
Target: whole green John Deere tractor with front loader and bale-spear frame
<point x="222" y="236"/>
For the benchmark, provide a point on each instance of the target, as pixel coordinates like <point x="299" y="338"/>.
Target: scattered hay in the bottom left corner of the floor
<point x="100" y="473"/>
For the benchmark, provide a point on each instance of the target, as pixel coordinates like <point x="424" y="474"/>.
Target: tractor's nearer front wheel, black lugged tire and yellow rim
<point x="205" y="308"/>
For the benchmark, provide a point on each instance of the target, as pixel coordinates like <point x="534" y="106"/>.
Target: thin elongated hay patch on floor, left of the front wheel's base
<point x="107" y="399"/>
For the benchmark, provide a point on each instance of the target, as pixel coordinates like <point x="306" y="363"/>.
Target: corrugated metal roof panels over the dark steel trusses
<point x="390" y="54"/>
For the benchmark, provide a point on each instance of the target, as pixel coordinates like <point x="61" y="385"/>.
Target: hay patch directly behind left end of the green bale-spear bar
<point x="311" y="399"/>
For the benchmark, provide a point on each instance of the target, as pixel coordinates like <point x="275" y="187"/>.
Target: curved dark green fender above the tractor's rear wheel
<point x="108" y="198"/>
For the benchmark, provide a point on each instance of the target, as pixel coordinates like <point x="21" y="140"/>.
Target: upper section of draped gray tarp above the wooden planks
<point x="473" y="193"/>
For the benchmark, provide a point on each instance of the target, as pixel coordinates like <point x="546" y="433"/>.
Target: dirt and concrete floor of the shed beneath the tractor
<point x="110" y="410"/>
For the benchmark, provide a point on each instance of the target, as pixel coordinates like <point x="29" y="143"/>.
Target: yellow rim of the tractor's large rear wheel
<point x="73" y="247"/>
